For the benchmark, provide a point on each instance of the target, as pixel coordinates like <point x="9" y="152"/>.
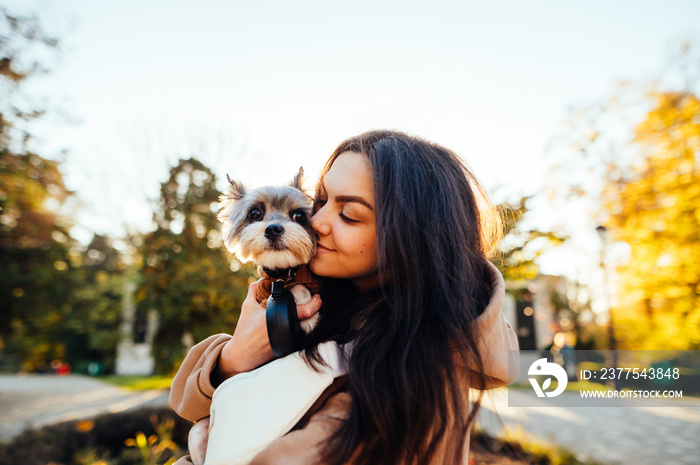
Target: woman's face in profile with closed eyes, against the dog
<point x="344" y="223"/>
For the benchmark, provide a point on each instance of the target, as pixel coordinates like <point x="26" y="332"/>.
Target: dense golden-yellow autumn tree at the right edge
<point x="655" y="208"/>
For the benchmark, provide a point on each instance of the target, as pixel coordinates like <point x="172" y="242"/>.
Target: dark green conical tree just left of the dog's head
<point x="187" y="276"/>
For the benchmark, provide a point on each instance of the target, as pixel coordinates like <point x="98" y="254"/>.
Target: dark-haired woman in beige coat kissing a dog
<point x="403" y="235"/>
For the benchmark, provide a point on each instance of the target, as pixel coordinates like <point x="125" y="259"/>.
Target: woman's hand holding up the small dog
<point x="250" y="345"/>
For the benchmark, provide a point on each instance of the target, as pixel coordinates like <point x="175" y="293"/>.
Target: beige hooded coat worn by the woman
<point x="192" y="388"/>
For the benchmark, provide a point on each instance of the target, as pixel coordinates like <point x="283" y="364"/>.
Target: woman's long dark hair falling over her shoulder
<point x="412" y="337"/>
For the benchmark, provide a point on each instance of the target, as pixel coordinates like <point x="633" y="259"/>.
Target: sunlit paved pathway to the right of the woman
<point x="636" y="435"/>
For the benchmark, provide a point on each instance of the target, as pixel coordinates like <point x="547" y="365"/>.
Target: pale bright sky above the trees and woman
<point x="257" y="89"/>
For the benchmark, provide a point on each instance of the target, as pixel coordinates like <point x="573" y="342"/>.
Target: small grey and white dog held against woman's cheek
<point x="270" y="226"/>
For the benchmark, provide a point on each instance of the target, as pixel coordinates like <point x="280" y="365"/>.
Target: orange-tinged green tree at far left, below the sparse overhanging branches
<point x="35" y="291"/>
